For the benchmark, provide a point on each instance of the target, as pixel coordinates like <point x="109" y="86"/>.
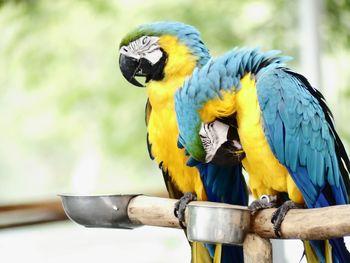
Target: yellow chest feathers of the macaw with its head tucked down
<point x="266" y="174"/>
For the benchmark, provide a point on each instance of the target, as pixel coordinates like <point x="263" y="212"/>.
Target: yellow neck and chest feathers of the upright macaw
<point x="162" y="125"/>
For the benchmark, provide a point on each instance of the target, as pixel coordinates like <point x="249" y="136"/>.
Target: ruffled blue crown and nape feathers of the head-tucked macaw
<point x="209" y="83"/>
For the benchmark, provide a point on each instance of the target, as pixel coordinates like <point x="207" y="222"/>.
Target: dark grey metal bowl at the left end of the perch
<point x="108" y="211"/>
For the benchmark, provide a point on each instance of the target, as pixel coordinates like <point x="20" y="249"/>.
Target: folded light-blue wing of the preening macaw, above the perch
<point x="298" y="143"/>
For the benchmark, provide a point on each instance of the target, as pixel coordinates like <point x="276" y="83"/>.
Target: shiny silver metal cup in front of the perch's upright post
<point x="222" y="223"/>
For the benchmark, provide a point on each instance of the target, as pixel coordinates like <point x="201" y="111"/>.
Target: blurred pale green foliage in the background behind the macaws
<point x="69" y="121"/>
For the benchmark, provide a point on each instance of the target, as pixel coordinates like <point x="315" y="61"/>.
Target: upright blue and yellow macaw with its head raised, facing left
<point x="165" y="53"/>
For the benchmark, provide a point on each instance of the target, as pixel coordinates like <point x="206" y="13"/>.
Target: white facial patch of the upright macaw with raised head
<point x="144" y="47"/>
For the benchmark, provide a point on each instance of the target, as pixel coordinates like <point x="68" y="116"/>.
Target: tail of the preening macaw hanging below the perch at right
<point x="326" y="251"/>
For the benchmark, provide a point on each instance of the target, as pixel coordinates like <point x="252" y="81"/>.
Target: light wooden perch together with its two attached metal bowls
<point x="210" y="222"/>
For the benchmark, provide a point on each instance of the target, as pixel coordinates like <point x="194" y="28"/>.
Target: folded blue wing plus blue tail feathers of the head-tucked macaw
<point x="303" y="139"/>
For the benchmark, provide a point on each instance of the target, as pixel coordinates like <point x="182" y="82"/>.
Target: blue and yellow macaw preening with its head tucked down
<point x="285" y="129"/>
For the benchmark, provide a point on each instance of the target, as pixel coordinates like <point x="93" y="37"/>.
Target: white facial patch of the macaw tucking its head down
<point x="213" y="135"/>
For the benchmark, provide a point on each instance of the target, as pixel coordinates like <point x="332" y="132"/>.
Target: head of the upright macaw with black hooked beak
<point x="161" y="50"/>
